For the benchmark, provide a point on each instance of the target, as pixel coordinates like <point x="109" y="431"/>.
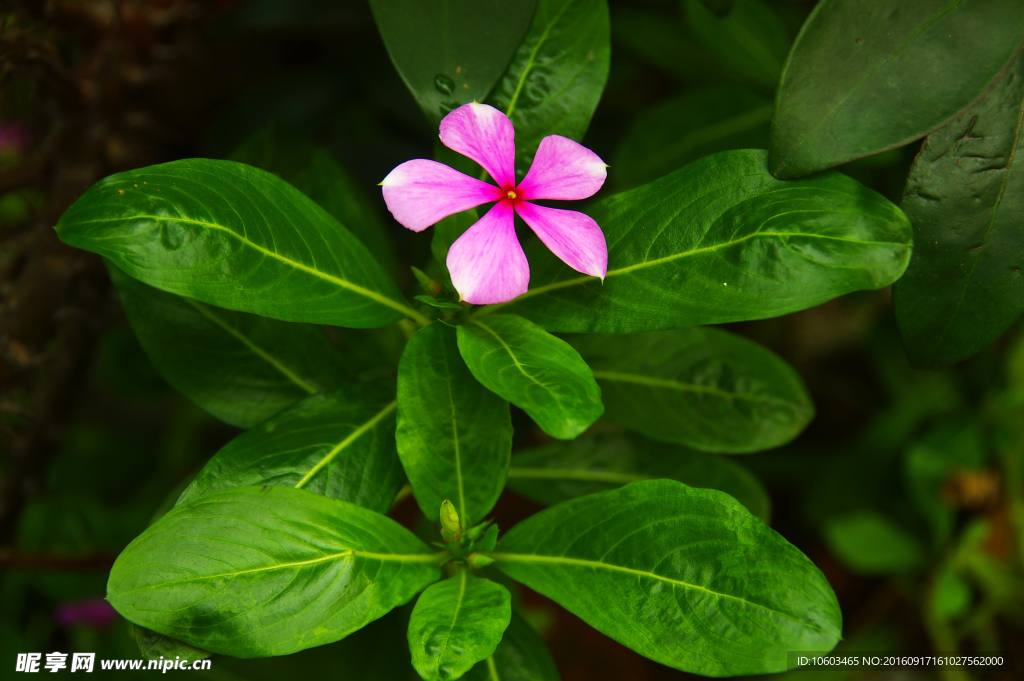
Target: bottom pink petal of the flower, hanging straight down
<point x="488" y="265"/>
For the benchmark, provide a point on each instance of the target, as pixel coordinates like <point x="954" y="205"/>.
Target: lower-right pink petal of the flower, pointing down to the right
<point x="575" y="238"/>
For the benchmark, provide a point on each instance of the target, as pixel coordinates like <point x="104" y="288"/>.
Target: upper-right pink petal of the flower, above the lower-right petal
<point x="564" y="169"/>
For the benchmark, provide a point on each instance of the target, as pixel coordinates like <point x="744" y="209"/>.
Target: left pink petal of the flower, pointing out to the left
<point x="421" y="193"/>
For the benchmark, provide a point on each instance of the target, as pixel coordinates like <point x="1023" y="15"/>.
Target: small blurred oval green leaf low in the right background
<point x="871" y="543"/>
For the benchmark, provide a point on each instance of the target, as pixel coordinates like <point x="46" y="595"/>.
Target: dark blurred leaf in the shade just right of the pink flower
<point x="691" y="126"/>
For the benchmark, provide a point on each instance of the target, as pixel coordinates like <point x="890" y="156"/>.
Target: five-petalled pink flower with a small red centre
<point x="487" y="264"/>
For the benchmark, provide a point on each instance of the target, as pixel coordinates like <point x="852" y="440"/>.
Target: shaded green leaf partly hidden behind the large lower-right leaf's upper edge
<point x="561" y="472"/>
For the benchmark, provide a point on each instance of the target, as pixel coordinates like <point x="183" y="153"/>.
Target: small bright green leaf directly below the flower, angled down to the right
<point x="535" y="371"/>
